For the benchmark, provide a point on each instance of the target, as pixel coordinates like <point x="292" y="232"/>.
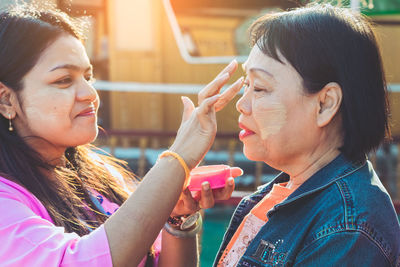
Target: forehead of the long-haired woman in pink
<point x="64" y="50"/>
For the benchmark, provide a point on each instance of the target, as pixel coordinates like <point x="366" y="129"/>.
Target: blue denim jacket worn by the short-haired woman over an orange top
<point x="340" y="216"/>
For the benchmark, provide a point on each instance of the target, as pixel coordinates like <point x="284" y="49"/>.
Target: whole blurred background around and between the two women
<point x="147" y="53"/>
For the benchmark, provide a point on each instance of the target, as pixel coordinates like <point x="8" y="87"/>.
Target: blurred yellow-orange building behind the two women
<point x="134" y="41"/>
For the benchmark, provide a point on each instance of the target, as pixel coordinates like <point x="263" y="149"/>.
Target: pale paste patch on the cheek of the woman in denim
<point x="270" y="118"/>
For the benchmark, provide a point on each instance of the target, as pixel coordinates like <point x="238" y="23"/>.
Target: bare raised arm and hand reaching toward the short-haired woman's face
<point x="138" y="221"/>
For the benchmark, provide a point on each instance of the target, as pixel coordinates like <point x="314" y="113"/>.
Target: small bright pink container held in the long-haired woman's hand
<point x="216" y="175"/>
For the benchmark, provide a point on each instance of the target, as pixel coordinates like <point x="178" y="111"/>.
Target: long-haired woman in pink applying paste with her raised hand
<point x="62" y="204"/>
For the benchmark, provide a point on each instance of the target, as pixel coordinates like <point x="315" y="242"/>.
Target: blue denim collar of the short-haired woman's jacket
<point x="336" y="169"/>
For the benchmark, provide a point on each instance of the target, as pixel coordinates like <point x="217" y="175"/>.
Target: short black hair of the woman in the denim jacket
<point x="332" y="44"/>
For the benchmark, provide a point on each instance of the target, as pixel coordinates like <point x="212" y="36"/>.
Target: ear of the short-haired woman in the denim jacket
<point x="330" y="98"/>
